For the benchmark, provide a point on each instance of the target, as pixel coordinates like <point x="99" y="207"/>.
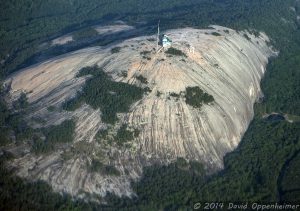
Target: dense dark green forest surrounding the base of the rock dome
<point x="265" y="166"/>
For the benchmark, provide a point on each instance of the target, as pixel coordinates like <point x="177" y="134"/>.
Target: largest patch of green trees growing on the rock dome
<point x="101" y="92"/>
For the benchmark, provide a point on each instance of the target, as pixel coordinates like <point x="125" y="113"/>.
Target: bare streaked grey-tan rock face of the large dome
<point x="224" y="63"/>
